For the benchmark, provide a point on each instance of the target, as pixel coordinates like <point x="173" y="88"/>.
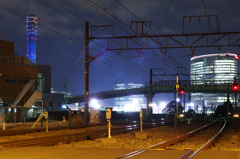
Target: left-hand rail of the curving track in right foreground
<point x="167" y="142"/>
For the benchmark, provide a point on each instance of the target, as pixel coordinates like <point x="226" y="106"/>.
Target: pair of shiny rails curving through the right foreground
<point x="191" y="152"/>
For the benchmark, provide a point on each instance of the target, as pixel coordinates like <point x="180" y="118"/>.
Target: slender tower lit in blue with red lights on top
<point x="31" y="36"/>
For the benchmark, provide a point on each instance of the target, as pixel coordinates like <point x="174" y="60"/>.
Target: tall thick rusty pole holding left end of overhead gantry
<point x="86" y="71"/>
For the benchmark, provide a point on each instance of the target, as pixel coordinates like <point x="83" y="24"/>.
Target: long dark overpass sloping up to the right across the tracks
<point x="162" y="87"/>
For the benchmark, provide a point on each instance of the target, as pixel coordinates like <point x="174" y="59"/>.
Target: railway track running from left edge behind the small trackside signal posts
<point x="74" y="137"/>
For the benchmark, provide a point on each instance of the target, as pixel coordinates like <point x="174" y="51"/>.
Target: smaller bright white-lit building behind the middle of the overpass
<point x="131" y="103"/>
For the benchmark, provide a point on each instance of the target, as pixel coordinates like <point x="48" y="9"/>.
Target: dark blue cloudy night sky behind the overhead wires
<point x="61" y="28"/>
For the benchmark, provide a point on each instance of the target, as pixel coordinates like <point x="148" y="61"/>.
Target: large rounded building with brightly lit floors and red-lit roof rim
<point x="212" y="69"/>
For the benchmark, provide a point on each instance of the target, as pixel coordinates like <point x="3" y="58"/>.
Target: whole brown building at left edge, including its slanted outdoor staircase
<point x="19" y="80"/>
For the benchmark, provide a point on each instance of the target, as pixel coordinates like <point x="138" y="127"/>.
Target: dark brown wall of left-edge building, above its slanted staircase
<point x="15" y="72"/>
